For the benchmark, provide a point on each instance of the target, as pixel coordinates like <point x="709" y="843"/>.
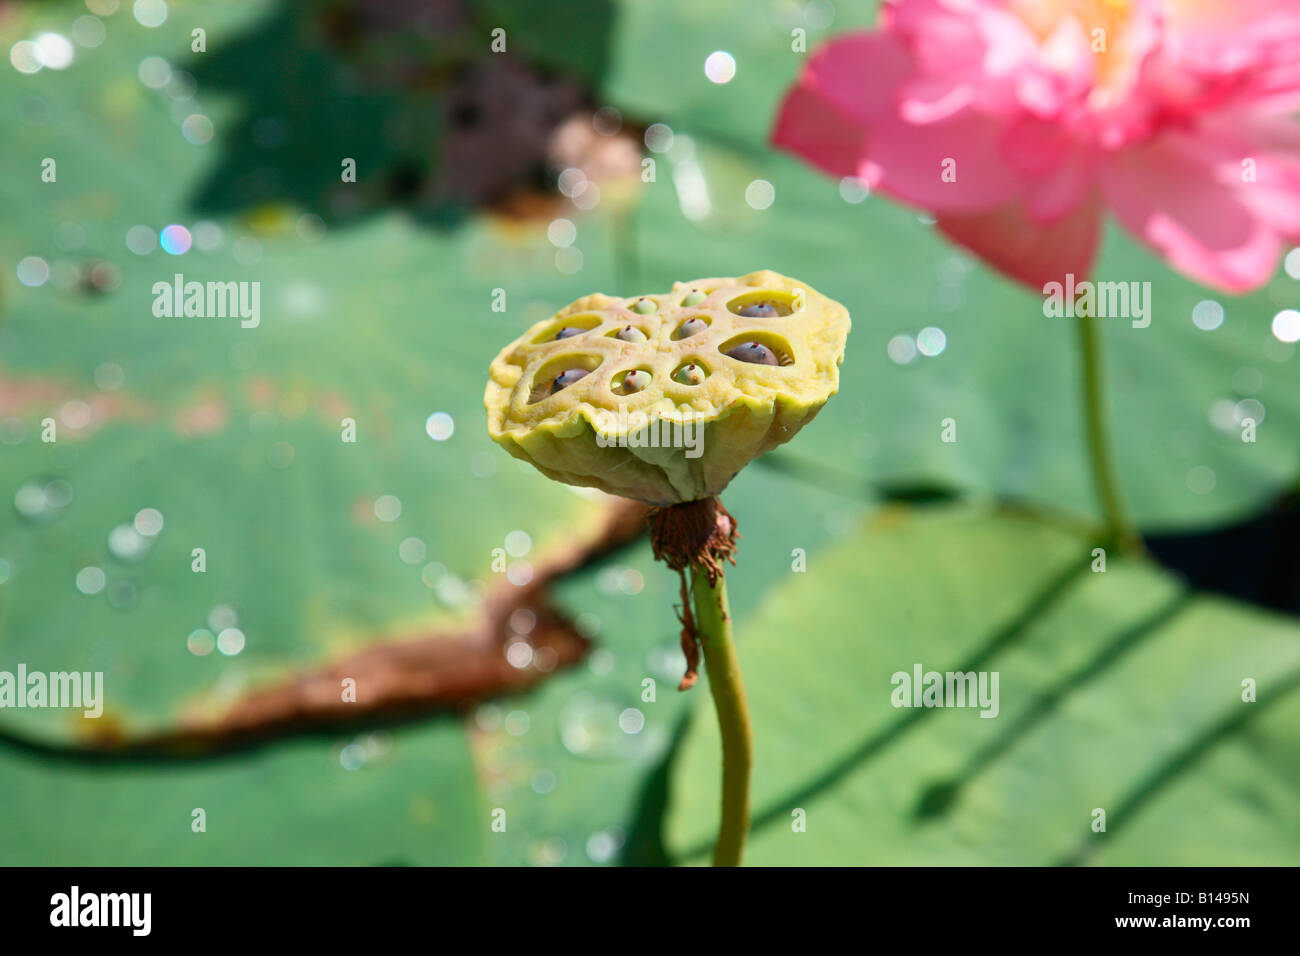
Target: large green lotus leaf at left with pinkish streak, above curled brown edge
<point x="236" y="435"/>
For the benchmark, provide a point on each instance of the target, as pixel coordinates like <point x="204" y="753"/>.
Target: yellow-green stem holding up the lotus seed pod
<point x="713" y="622"/>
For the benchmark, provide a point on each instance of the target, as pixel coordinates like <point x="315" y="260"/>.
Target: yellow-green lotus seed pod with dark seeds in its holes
<point x="669" y="419"/>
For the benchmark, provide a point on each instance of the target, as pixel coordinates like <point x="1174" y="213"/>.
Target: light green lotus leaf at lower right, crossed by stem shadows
<point x="1119" y="691"/>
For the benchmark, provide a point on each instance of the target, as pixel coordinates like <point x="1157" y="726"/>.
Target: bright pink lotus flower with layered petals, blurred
<point x="1017" y="123"/>
